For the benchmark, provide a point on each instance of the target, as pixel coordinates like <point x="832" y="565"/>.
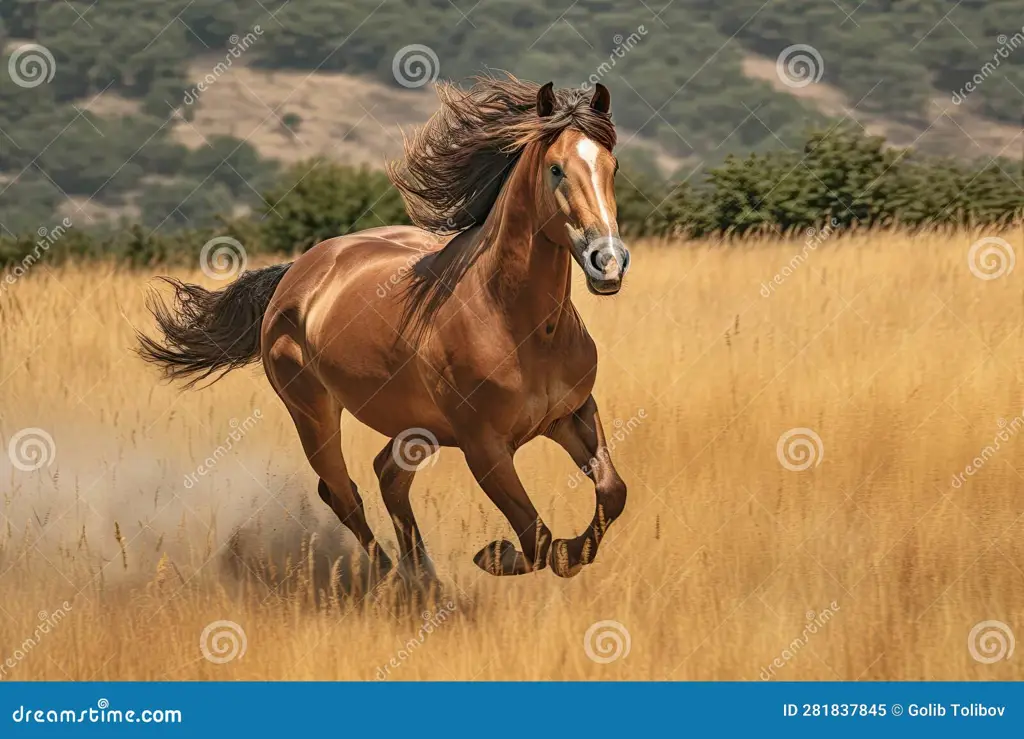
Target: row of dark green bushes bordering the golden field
<point x="840" y="180"/>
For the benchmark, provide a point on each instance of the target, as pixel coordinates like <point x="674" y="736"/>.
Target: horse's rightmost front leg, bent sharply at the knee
<point x="582" y="436"/>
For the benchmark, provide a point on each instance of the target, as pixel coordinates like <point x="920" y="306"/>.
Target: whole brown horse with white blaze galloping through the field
<point x="458" y="333"/>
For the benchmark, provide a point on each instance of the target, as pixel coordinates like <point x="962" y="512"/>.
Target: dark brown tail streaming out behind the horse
<point x="207" y="331"/>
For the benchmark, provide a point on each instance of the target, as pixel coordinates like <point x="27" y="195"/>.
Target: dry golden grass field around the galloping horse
<point x="886" y="346"/>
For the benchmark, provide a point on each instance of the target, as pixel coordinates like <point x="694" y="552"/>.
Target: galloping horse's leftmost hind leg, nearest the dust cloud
<point x="318" y="419"/>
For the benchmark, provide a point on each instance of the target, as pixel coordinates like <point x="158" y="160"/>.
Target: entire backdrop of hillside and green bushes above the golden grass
<point x="172" y="115"/>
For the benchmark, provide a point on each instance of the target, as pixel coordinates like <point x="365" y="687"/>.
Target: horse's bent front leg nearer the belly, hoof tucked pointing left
<point x="490" y="460"/>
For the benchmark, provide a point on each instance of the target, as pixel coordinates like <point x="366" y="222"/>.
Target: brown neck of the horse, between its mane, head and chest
<point x="530" y="276"/>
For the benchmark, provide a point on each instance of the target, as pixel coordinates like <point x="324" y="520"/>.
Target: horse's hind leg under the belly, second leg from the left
<point x="397" y="481"/>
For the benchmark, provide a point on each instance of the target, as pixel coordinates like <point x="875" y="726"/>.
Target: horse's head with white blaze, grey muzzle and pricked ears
<point x="578" y="193"/>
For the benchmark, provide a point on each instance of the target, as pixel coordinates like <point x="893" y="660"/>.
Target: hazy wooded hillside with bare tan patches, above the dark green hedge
<point x="113" y="125"/>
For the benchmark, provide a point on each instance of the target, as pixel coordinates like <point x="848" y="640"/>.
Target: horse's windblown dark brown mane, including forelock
<point x="457" y="165"/>
